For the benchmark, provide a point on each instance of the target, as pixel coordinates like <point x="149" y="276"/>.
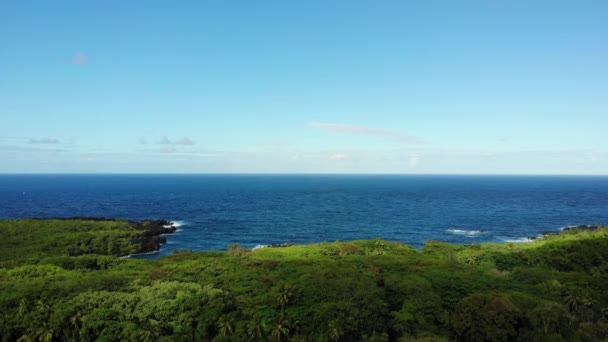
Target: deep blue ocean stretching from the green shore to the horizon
<point x="216" y="210"/>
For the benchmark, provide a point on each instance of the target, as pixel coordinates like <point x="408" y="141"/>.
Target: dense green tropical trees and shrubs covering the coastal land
<point x="62" y="280"/>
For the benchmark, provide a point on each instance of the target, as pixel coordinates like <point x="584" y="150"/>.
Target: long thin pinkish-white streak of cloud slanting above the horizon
<point x="388" y="134"/>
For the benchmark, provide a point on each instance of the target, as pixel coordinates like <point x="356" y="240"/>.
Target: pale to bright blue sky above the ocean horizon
<point x="341" y="86"/>
